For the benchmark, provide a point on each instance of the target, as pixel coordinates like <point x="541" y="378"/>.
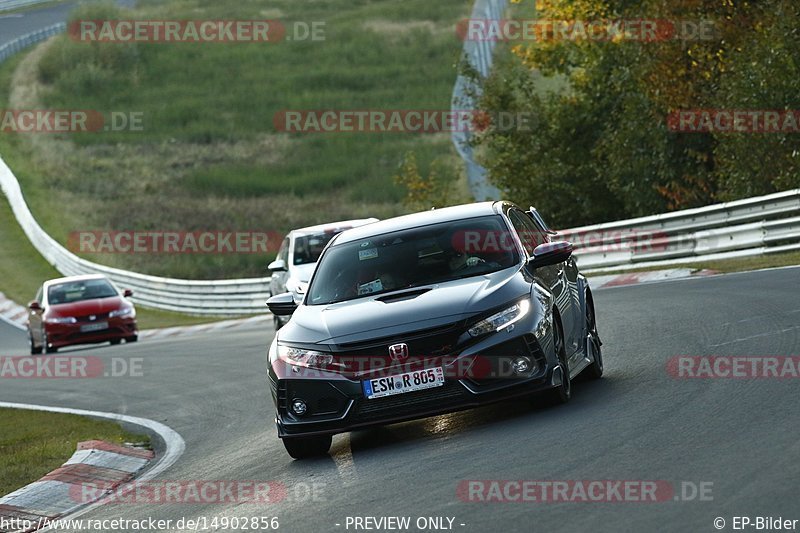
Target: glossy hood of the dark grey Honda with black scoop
<point x="378" y="316"/>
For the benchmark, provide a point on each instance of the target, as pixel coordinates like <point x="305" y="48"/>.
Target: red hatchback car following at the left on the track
<point x="80" y="310"/>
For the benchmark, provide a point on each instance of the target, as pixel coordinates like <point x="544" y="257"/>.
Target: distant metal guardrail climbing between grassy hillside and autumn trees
<point x="480" y="55"/>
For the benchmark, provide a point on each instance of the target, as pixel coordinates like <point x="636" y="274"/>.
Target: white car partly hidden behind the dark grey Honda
<point x="298" y="255"/>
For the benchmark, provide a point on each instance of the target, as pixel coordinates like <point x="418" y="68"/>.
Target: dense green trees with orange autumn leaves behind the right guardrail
<point x="602" y="148"/>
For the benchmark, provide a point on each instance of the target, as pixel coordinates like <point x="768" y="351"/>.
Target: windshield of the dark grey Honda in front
<point x="411" y="258"/>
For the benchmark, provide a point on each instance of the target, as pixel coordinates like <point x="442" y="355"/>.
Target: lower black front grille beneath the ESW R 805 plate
<point x="451" y="394"/>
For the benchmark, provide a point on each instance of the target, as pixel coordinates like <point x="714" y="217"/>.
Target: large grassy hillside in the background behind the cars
<point x="209" y="156"/>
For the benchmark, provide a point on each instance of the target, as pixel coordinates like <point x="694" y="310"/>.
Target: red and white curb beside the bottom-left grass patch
<point x="60" y="492"/>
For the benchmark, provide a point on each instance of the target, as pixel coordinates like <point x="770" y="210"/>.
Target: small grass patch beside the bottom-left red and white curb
<point x="34" y="443"/>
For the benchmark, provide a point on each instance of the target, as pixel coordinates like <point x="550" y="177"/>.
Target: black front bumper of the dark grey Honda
<point x="477" y="376"/>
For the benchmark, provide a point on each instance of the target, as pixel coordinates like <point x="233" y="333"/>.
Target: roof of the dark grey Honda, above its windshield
<point x="423" y="218"/>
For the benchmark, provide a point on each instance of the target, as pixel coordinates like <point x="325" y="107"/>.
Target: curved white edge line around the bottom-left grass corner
<point x="172" y="439"/>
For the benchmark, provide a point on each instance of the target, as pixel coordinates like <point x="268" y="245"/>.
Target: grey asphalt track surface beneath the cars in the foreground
<point x="637" y="423"/>
